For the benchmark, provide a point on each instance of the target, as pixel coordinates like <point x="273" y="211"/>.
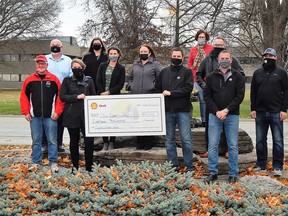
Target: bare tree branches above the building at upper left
<point x="27" y="17"/>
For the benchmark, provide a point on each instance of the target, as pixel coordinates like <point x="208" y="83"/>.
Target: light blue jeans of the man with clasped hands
<point x="230" y="125"/>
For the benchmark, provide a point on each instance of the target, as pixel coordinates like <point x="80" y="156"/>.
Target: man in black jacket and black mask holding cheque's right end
<point x="176" y="84"/>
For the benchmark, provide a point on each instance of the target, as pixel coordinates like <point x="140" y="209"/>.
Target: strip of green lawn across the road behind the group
<point x="9" y="104"/>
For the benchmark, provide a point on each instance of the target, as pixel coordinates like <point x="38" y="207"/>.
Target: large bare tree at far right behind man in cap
<point x="254" y="25"/>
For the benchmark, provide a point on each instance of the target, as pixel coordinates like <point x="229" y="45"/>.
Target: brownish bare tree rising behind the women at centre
<point x="125" y="23"/>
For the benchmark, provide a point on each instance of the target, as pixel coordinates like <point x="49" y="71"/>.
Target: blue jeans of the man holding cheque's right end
<point x="183" y="121"/>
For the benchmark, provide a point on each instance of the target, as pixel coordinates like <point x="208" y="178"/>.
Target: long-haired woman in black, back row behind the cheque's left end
<point x="95" y="56"/>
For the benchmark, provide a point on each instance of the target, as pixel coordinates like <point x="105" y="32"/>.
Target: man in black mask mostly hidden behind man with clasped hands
<point x="207" y="66"/>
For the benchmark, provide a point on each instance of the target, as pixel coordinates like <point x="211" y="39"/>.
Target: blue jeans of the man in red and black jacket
<point x="37" y="126"/>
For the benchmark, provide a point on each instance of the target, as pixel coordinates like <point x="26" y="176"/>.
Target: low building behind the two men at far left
<point x="17" y="57"/>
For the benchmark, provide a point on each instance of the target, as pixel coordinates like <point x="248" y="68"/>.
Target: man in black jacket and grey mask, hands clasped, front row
<point x="224" y="92"/>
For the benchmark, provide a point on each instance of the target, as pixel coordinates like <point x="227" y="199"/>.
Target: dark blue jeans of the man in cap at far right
<point x="263" y="121"/>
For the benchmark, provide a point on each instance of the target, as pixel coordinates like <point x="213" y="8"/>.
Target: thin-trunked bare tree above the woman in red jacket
<point x="187" y="16"/>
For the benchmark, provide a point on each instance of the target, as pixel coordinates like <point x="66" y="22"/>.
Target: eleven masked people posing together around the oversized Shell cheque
<point x="53" y="98"/>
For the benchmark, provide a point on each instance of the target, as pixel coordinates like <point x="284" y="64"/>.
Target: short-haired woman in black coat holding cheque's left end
<point x="73" y="91"/>
